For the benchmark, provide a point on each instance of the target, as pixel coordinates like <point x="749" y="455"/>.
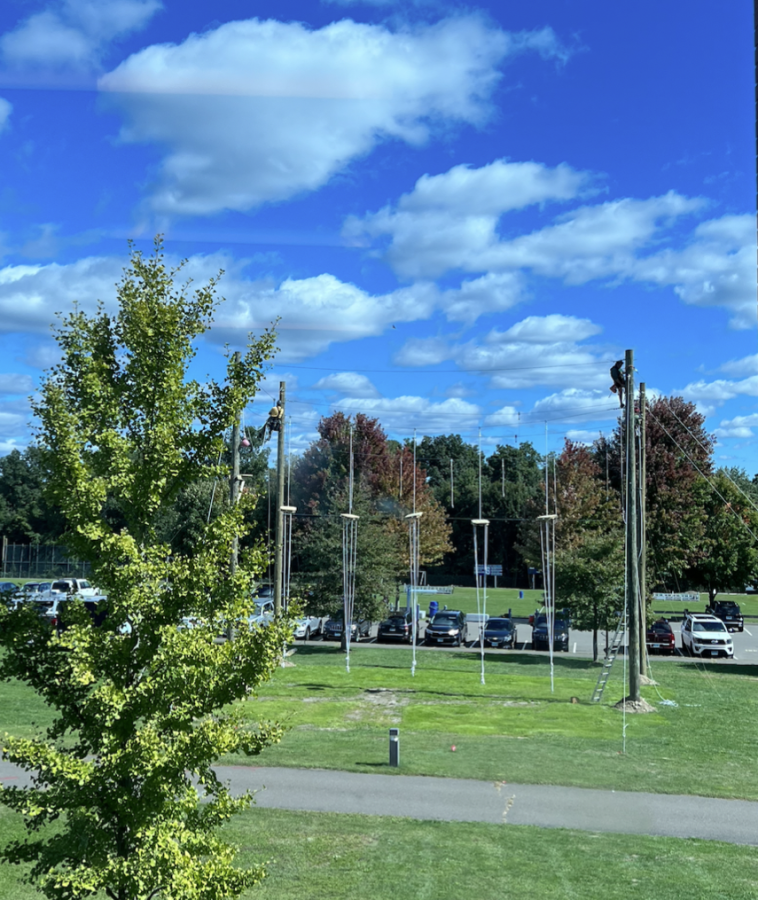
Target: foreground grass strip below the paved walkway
<point x="322" y="856"/>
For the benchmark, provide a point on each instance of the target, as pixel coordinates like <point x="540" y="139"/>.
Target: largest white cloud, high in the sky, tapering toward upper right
<point x="257" y="111"/>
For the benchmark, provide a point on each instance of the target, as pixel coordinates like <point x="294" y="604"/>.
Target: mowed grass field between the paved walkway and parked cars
<point x="512" y="728"/>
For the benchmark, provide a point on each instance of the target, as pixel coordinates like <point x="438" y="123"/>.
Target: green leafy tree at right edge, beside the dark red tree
<point x="728" y="556"/>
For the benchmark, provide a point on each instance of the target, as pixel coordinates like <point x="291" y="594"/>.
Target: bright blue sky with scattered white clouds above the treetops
<point x="461" y="214"/>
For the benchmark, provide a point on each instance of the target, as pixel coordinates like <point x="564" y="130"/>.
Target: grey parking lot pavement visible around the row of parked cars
<point x="580" y="643"/>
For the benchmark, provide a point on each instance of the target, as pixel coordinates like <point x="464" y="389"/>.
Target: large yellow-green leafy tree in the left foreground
<point x="141" y="707"/>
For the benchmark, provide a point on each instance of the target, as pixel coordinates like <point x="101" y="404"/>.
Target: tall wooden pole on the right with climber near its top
<point x="632" y="559"/>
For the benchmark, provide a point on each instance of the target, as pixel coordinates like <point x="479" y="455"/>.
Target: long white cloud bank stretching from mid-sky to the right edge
<point x="450" y="222"/>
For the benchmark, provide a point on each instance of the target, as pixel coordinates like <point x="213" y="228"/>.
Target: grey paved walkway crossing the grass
<point x="461" y="800"/>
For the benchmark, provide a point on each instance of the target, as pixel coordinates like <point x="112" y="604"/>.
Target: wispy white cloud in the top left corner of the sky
<point x="73" y="33"/>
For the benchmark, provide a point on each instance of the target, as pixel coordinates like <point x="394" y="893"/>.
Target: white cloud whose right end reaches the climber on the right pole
<point x="539" y="350"/>
